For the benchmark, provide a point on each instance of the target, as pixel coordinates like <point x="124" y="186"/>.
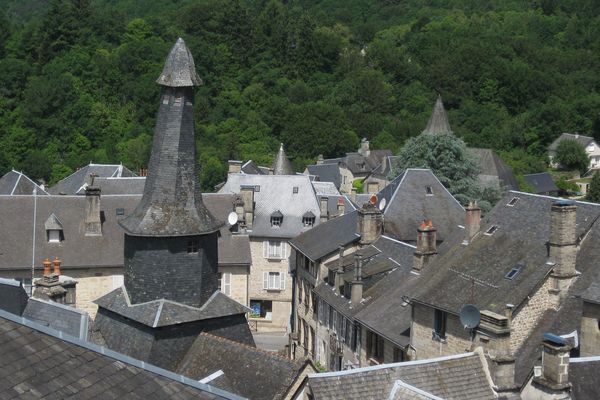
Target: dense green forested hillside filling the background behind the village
<point x="77" y="77"/>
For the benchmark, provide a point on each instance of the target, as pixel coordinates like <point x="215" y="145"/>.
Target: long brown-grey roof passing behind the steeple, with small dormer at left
<point x="78" y="250"/>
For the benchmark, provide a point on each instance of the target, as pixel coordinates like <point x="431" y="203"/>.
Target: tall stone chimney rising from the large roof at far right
<point x="563" y="246"/>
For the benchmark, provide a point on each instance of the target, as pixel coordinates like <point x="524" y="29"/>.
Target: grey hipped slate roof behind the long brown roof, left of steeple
<point x="77" y="181"/>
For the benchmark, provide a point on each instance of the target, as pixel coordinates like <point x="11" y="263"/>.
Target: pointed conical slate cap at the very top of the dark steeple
<point x="179" y="69"/>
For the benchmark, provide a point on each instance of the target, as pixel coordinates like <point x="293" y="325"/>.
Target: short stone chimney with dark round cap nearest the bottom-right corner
<point x="554" y="379"/>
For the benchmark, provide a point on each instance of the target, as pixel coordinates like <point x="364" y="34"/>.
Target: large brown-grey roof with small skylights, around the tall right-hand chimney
<point x="520" y="239"/>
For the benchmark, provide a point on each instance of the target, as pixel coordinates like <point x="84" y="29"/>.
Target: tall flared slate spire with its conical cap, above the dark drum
<point x="172" y="201"/>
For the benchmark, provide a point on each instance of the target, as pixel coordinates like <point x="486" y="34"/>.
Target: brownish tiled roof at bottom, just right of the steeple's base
<point x="248" y="371"/>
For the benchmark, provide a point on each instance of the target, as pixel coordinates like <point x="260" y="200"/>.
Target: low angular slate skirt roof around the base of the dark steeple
<point x="161" y="313"/>
